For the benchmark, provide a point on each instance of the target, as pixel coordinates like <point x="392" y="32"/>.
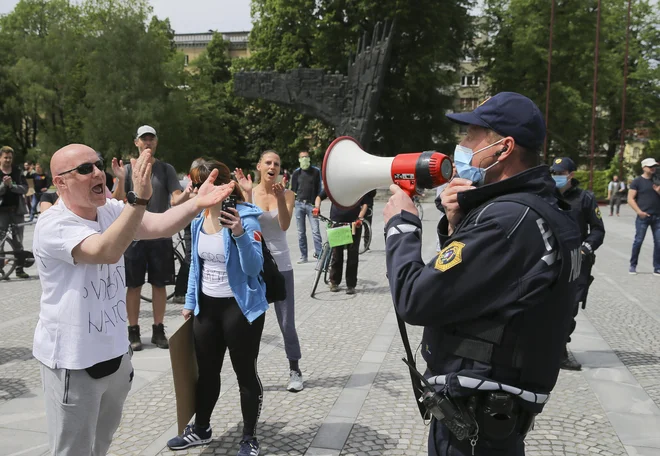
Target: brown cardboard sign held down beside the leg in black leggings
<point x="184" y="371"/>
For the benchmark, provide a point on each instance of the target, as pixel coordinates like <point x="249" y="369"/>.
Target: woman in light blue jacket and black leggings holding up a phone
<point x="227" y="296"/>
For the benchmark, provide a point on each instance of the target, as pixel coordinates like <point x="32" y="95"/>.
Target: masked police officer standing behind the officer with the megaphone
<point x="592" y="232"/>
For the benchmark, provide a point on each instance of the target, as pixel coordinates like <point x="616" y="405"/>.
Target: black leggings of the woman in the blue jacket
<point x="219" y="325"/>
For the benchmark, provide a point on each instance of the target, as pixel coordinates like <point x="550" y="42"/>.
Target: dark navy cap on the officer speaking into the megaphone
<point x="508" y="114"/>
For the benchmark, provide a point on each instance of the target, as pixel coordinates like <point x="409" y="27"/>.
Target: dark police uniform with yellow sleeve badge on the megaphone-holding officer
<point x="496" y="302"/>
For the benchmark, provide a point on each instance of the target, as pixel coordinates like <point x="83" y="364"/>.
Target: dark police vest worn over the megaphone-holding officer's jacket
<point x="524" y="350"/>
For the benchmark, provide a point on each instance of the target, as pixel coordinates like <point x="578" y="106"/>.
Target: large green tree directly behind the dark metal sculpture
<point x="429" y="41"/>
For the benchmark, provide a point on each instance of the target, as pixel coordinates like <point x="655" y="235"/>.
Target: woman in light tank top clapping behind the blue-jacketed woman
<point x="278" y="204"/>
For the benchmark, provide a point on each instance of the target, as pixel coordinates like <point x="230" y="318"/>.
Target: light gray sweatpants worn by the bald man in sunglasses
<point x="83" y="413"/>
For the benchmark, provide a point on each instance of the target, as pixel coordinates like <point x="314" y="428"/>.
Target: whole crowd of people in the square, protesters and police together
<point x="535" y="223"/>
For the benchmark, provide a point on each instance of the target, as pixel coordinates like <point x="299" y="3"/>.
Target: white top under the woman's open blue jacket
<point x="211" y="250"/>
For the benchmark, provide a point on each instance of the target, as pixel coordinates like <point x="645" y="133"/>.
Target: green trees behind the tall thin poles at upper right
<point x="514" y="57"/>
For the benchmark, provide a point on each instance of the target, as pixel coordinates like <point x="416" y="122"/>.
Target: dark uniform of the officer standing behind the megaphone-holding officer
<point x="592" y="234"/>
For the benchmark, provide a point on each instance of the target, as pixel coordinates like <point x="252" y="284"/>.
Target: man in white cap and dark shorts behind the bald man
<point x="153" y="256"/>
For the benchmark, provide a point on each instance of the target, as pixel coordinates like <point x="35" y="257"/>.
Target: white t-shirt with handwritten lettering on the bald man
<point x="83" y="318"/>
